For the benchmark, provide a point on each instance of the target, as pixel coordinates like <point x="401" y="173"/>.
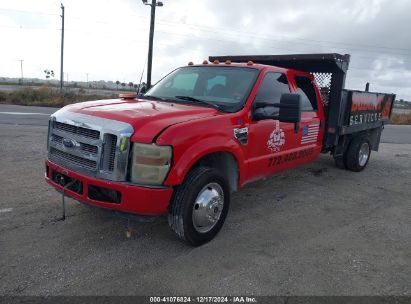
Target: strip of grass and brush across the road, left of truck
<point x="47" y="97"/>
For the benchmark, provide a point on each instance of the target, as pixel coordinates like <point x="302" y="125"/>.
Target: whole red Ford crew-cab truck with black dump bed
<point x="206" y="130"/>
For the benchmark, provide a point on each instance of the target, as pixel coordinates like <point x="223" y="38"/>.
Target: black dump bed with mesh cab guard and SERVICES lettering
<point x="329" y="72"/>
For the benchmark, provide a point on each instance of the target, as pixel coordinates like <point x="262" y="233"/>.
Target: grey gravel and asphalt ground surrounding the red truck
<point x="315" y="230"/>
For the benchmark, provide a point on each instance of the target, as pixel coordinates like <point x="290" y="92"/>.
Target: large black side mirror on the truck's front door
<point x="289" y="109"/>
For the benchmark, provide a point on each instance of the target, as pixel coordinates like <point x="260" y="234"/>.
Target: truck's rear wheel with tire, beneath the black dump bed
<point x="358" y="154"/>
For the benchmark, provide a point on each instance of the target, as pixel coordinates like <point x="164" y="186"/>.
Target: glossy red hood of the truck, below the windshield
<point x="148" y="118"/>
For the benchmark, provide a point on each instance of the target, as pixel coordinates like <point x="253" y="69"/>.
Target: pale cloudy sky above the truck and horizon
<point x="108" y="39"/>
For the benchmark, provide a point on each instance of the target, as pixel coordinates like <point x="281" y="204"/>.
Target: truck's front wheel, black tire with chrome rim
<point x="199" y="206"/>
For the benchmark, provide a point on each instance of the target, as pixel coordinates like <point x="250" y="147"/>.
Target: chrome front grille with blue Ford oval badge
<point x="89" y="144"/>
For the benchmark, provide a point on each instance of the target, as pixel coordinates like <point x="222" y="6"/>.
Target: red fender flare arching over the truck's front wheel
<point x="186" y="158"/>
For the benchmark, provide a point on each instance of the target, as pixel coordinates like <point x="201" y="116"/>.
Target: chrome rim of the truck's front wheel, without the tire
<point x="208" y="207"/>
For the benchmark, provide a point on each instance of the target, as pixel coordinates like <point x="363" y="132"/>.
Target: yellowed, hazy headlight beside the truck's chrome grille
<point x="150" y="163"/>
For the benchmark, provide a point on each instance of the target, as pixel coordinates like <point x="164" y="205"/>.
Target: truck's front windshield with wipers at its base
<point x="225" y="88"/>
